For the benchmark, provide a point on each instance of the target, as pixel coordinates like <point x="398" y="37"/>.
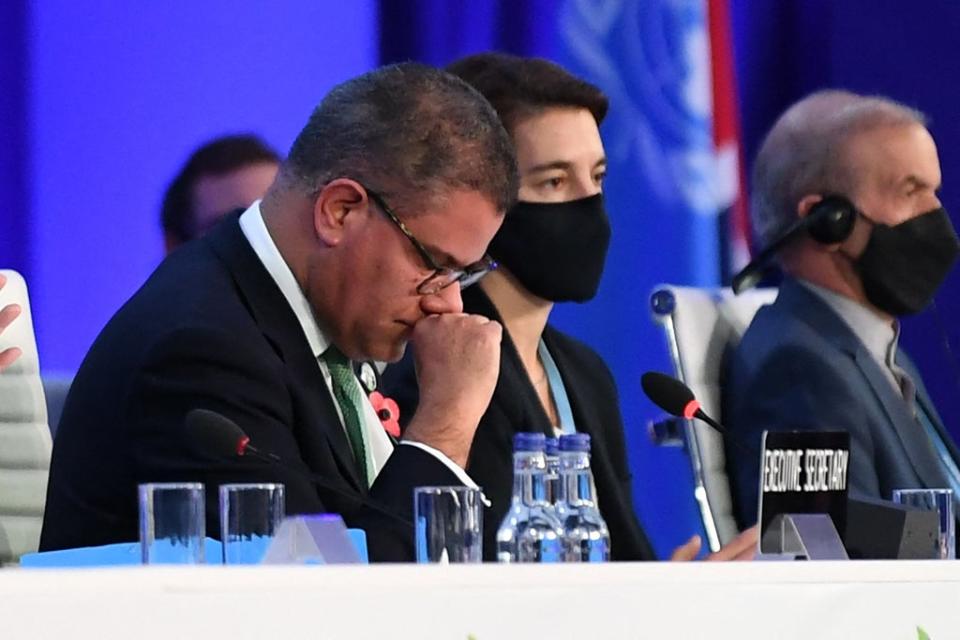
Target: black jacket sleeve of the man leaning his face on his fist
<point x="205" y="368"/>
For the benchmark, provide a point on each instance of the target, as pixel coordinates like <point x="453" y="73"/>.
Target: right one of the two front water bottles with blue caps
<point x="585" y="534"/>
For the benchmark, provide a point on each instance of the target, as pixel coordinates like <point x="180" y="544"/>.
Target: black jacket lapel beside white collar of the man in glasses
<point x="281" y="328"/>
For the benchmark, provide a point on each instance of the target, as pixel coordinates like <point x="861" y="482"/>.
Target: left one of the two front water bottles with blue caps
<point x="530" y="532"/>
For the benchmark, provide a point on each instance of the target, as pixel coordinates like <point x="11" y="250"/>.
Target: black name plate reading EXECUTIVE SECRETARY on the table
<point x="803" y="472"/>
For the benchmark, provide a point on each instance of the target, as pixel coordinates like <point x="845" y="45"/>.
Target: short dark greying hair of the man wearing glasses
<point x="409" y="130"/>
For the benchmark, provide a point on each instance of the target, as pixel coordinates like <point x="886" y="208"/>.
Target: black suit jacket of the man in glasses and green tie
<point x="210" y="329"/>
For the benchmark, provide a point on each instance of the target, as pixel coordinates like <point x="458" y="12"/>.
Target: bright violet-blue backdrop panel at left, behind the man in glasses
<point x="106" y="100"/>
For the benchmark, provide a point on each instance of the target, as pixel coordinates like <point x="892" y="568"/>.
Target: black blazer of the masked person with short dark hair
<point x="515" y="407"/>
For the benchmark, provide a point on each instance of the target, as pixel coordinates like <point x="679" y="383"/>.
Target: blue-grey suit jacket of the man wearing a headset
<point x="800" y="366"/>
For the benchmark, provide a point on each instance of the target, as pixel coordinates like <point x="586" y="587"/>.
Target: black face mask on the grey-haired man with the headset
<point x="904" y="265"/>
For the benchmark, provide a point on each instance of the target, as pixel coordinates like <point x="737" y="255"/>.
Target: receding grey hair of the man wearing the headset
<point x="804" y="153"/>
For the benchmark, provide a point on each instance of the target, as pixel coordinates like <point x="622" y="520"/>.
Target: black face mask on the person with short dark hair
<point x="556" y="250"/>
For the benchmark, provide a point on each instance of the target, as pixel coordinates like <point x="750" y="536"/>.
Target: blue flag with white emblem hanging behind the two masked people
<point x="663" y="193"/>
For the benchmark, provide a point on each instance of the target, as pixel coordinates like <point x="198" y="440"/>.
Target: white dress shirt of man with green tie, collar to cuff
<point x="376" y="442"/>
